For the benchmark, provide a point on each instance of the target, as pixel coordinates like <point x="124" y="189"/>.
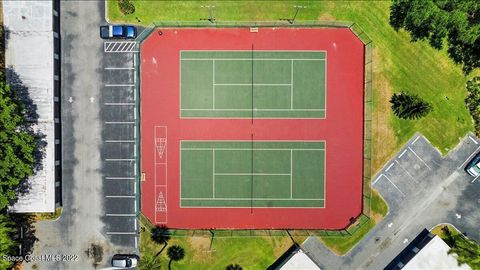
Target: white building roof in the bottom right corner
<point x="435" y="256"/>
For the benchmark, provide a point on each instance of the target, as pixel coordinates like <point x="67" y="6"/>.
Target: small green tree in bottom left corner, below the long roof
<point x="7" y="244"/>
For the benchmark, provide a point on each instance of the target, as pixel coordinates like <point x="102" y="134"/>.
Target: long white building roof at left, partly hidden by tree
<point x="29" y="53"/>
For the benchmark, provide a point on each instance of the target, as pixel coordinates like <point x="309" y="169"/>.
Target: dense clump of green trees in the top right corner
<point x="457" y="22"/>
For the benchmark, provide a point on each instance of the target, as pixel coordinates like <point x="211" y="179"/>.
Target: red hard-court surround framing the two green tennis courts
<point x="342" y="129"/>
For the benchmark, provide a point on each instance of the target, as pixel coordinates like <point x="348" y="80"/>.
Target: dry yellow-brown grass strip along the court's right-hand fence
<point x="384" y="142"/>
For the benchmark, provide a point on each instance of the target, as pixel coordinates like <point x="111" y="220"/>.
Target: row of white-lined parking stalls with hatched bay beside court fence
<point x="119" y="148"/>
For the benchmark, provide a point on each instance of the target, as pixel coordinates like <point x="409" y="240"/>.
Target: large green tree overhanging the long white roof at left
<point x="18" y="145"/>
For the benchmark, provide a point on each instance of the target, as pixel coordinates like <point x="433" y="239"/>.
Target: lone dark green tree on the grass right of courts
<point x="409" y="106"/>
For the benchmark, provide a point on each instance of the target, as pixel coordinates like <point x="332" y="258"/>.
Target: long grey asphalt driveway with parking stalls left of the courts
<point x="99" y="171"/>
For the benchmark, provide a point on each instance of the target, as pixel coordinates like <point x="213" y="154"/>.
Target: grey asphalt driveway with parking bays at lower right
<point x="422" y="189"/>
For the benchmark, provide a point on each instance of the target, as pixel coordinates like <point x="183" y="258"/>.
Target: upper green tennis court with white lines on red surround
<point x="258" y="84"/>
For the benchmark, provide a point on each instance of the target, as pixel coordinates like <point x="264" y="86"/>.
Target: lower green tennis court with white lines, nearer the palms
<point x="252" y="174"/>
